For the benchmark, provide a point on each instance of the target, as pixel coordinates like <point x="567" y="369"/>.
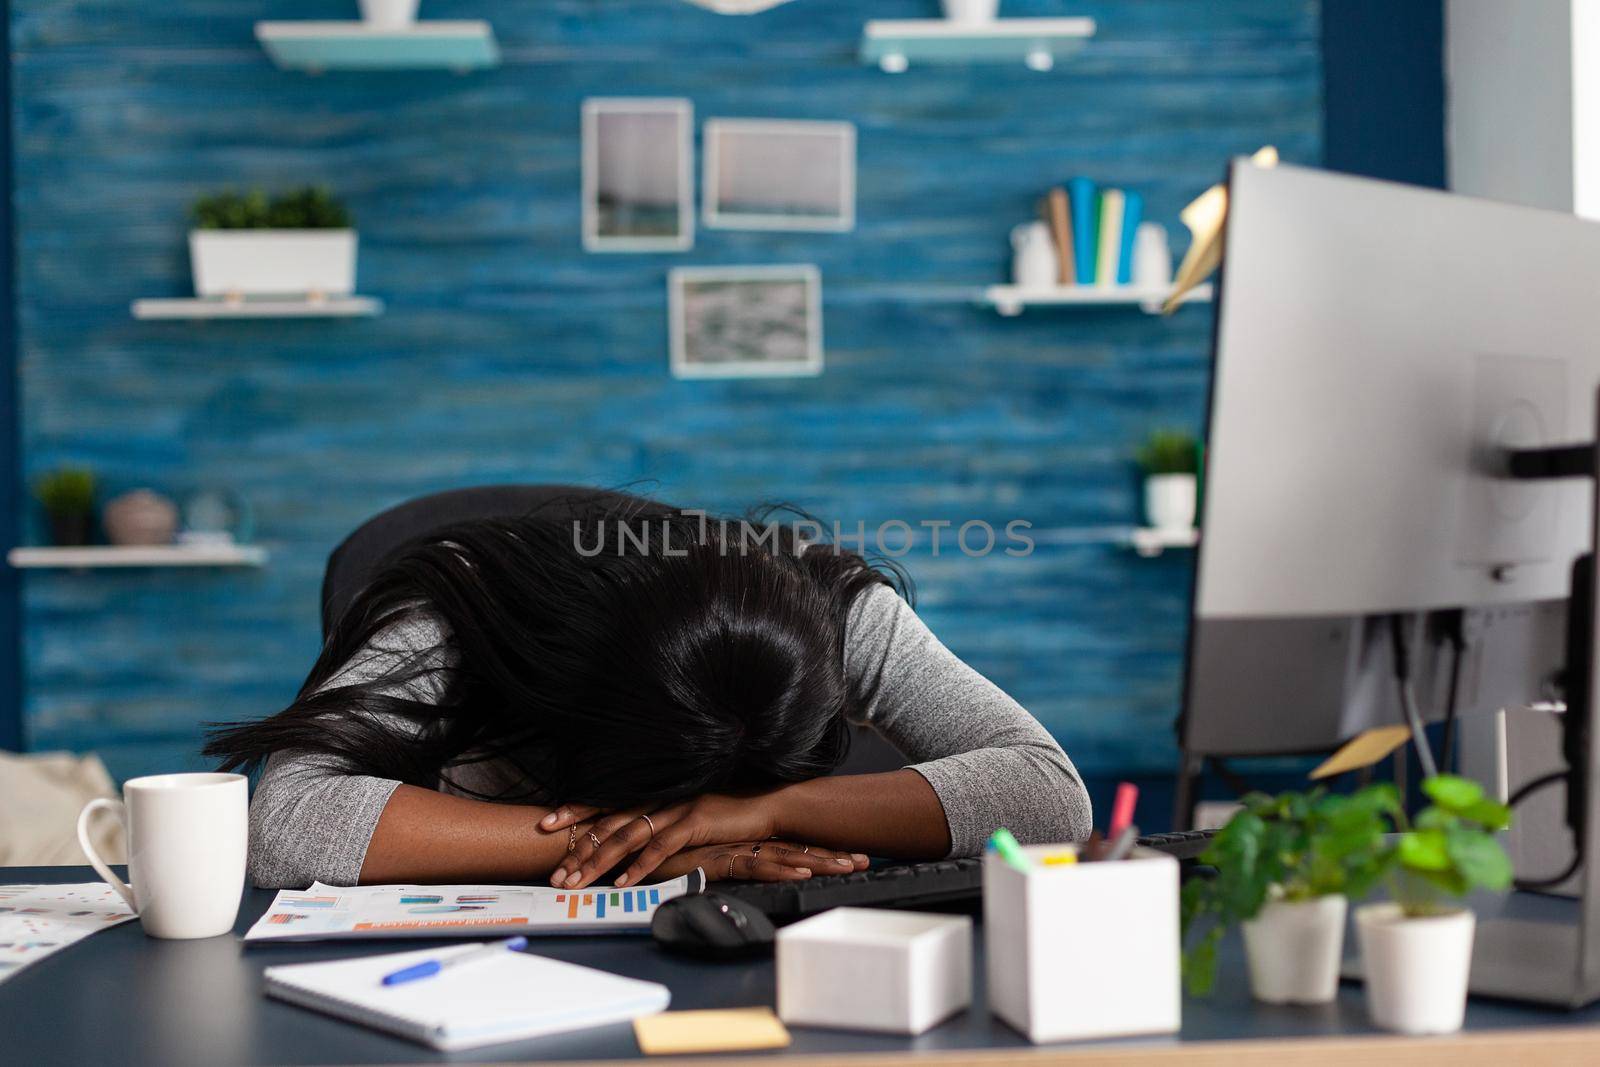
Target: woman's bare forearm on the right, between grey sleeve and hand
<point x="894" y="815"/>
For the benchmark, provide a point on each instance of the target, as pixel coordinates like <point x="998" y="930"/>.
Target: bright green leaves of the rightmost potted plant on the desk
<point x="1450" y="849"/>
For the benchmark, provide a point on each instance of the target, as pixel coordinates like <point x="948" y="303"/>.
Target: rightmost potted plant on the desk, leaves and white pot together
<point x="1417" y="951"/>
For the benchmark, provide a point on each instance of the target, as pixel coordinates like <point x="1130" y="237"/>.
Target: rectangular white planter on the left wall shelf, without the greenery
<point x="273" y="263"/>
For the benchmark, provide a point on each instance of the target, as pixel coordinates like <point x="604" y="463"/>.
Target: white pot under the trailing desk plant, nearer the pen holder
<point x="1295" y="951"/>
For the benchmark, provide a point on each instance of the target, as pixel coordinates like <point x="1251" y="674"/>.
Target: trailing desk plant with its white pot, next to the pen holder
<point x="1286" y="869"/>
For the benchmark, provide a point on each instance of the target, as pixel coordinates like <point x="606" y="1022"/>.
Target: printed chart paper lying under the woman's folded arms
<point x="332" y="913"/>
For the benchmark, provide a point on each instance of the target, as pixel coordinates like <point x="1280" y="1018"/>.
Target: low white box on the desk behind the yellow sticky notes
<point x="860" y="969"/>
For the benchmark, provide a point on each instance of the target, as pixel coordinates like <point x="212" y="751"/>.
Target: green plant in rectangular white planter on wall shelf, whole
<point x="298" y="244"/>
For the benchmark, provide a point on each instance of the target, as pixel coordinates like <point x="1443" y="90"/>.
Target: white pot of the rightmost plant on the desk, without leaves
<point x="1417" y="969"/>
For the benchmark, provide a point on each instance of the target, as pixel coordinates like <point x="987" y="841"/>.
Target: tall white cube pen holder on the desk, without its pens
<point x="1084" y="951"/>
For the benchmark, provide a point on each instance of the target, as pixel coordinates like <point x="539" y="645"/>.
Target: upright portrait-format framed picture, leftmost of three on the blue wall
<point x="639" y="183"/>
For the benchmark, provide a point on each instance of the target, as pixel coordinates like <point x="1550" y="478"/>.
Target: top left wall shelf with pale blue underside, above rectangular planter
<point x="431" y="44"/>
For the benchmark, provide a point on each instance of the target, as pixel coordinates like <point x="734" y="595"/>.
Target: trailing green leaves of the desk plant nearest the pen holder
<point x="1292" y="847"/>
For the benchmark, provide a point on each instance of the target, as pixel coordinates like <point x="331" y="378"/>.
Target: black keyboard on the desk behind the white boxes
<point x="934" y="885"/>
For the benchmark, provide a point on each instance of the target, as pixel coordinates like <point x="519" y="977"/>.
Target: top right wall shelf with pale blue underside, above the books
<point x="897" y="44"/>
